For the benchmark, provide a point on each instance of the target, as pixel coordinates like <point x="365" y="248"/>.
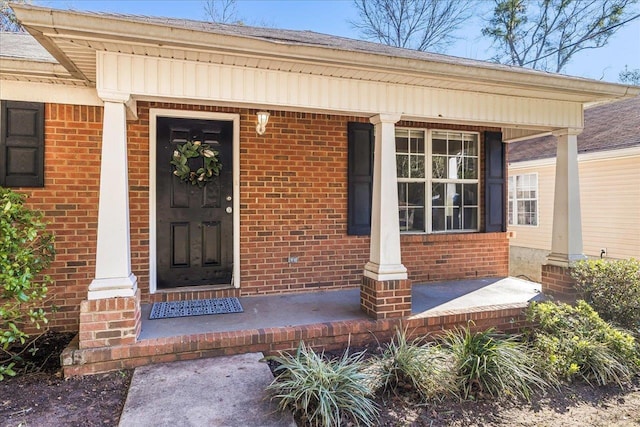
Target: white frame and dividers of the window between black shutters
<point x="428" y="180"/>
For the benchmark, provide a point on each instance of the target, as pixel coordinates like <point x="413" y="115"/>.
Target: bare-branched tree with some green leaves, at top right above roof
<point x="545" y="34"/>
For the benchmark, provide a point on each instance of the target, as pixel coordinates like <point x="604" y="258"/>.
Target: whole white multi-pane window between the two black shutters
<point x="437" y="180"/>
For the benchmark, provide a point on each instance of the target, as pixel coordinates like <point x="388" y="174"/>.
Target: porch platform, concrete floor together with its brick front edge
<point x="325" y="320"/>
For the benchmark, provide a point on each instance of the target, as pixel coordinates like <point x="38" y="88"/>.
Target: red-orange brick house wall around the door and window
<point x="293" y="186"/>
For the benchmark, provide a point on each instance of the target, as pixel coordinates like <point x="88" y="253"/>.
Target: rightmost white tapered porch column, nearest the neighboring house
<point x="566" y="240"/>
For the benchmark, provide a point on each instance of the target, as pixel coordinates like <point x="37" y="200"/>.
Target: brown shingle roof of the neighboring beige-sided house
<point x="610" y="126"/>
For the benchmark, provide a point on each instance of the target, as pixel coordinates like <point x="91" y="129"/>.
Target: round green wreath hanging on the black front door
<point x="190" y="150"/>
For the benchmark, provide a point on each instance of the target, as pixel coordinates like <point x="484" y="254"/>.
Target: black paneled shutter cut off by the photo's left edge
<point x="21" y="144"/>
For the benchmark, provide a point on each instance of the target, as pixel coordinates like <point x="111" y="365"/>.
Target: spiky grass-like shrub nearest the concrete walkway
<point x="324" y="392"/>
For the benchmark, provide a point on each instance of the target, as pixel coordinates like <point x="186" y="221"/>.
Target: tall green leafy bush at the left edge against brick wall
<point x="25" y="250"/>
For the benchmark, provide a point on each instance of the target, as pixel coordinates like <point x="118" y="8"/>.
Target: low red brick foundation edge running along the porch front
<point x="507" y="318"/>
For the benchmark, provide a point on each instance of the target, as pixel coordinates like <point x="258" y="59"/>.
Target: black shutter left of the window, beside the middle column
<point x="360" y="178"/>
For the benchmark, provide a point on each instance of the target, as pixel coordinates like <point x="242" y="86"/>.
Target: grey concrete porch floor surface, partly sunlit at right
<point x="277" y="311"/>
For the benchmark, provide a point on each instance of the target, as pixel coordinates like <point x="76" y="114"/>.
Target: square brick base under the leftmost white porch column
<point x="110" y="321"/>
